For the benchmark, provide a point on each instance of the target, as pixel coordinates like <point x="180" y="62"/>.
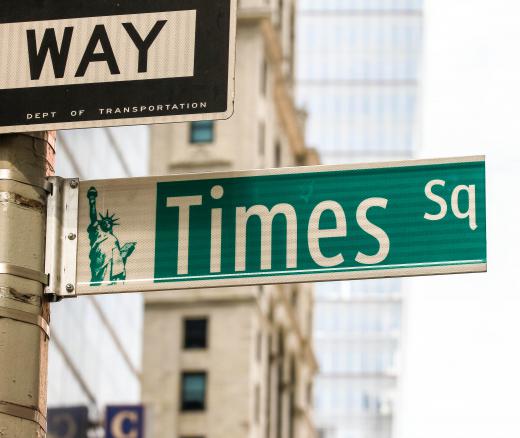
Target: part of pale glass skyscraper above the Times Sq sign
<point x="358" y="72"/>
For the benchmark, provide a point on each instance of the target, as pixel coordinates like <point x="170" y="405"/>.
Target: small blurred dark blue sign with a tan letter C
<point x="124" y="422"/>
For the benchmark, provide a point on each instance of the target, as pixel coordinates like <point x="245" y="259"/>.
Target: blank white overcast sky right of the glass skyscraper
<point x="462" y="341"/>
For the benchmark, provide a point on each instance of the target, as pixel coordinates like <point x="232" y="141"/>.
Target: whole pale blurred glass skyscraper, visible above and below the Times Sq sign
<point x="358" y="73"/>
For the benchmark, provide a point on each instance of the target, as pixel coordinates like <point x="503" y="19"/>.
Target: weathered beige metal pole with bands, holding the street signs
<point x="25" y="161"/>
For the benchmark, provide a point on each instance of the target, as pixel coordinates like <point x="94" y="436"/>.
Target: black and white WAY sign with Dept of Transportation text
<point x="72" y="64"/>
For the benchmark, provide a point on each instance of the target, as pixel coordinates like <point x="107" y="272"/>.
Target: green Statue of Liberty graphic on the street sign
<point x="107" y="256"/>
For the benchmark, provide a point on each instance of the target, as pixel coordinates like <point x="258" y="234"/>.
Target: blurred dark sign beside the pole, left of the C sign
<point x="69" y="422"/>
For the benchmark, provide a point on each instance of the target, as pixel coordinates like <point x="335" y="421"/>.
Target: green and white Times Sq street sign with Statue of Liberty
<point x="301" y="224"/>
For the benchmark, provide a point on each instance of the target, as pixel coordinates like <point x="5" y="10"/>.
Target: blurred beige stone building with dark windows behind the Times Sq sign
<point x="235" y="362"/>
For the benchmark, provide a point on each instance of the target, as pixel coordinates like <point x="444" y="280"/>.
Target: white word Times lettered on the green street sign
<point x="247" y="220"/>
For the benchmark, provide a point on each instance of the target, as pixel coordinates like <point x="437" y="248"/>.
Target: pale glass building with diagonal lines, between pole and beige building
<point x="95" y="349"/>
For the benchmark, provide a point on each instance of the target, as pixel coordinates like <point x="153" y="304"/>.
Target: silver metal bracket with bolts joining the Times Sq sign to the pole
<point x="62" y="237"/>
